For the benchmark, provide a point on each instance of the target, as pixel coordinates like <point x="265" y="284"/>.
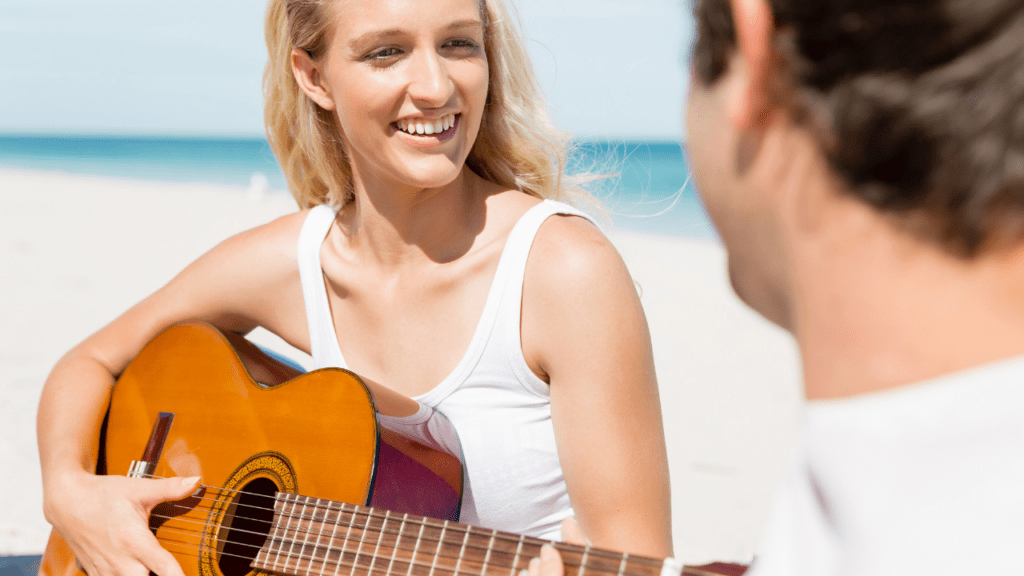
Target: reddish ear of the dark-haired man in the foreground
<point x="749" y="102"/>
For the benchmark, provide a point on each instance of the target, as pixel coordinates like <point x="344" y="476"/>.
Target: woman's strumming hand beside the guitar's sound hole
<point x="106" y="521"/>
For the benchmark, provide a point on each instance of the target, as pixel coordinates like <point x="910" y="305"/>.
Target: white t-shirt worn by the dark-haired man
<point x="927" y="479"/>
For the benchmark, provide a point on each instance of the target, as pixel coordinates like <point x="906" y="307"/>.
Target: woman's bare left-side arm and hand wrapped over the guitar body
<point x="249" y="280"/>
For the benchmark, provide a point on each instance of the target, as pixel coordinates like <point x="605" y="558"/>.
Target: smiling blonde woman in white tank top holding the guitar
<point x="433" y="258"/>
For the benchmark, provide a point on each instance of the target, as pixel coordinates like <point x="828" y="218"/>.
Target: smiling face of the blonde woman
<point x="408" y="84"/>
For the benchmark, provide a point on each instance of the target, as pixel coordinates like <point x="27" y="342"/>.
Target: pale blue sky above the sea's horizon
<point x="611" y="68"/>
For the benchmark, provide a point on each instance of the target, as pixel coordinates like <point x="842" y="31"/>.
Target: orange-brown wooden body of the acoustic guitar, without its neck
<point x="316" y="434"/>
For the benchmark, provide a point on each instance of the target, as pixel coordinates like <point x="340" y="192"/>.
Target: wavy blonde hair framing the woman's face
<point x="518" y="146"/>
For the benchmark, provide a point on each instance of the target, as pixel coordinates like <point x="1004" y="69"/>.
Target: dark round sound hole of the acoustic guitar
<point x="246" y="527"/>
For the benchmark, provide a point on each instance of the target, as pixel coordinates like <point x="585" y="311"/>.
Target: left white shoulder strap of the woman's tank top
<point x="323" y="346"/>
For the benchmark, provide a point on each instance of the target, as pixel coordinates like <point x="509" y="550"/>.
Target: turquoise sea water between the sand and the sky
<point x="647" y="189"/>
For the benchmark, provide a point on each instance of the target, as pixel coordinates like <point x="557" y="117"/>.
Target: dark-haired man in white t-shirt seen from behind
<point x="864" y="163"/>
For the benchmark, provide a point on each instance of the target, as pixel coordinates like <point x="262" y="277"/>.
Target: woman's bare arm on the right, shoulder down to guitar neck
<point x="584" y="328"/>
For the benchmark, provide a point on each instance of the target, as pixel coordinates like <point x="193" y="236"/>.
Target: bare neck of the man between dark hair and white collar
<point x="884" y="310"/>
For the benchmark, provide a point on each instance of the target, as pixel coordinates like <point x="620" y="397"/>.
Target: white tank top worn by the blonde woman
<point x="500" y="408"/>
